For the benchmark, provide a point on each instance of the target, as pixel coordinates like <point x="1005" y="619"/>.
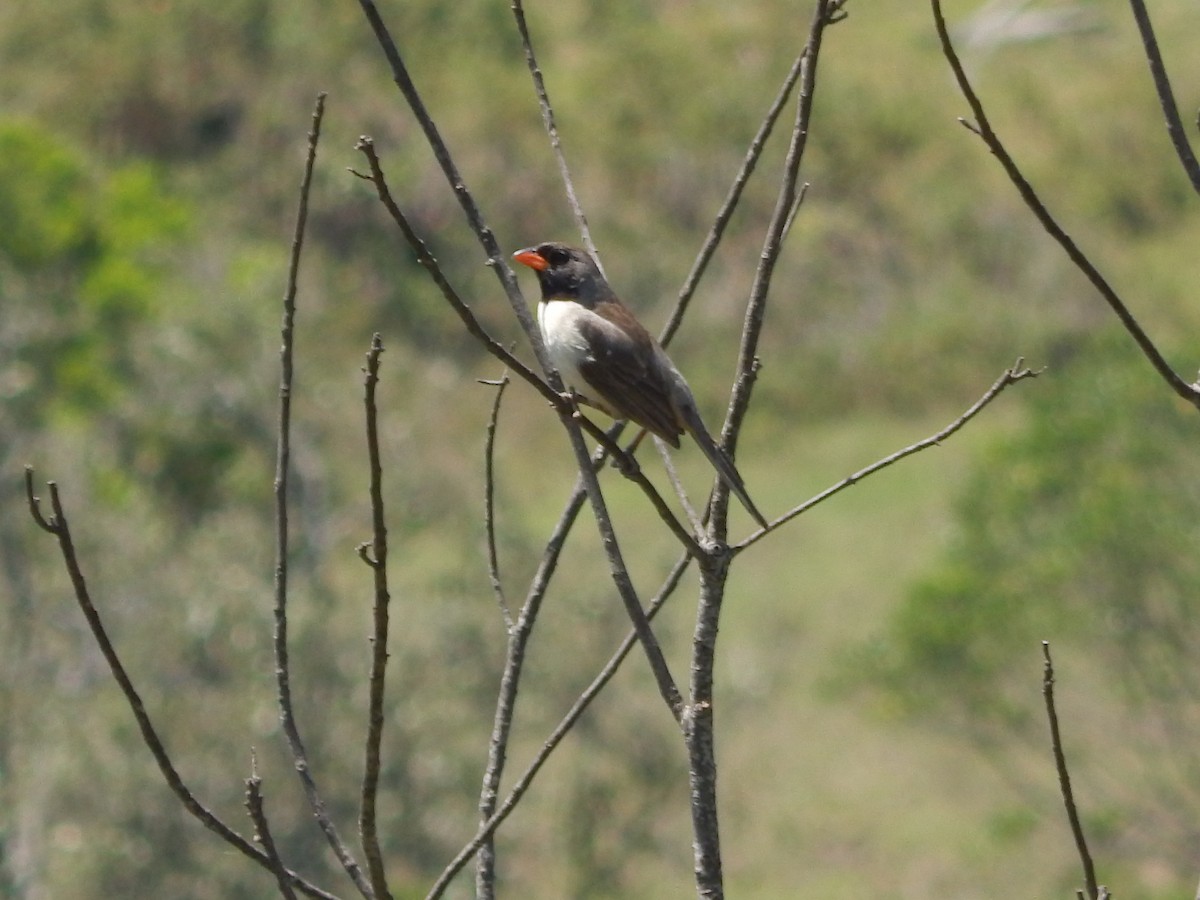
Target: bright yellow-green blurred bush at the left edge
<point x="81" y="267"/>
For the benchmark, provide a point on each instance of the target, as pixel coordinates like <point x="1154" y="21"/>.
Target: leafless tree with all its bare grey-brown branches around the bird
<point x="705" y="544"/>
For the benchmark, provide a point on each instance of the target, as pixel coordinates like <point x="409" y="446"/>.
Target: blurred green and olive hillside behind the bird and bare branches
<point x="880" y="718"/>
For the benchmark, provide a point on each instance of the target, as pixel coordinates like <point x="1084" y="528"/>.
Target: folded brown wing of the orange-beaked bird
<point x="622" y="369"/>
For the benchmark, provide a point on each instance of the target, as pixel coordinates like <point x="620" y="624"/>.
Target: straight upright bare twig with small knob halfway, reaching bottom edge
<point x="369" y="829"/>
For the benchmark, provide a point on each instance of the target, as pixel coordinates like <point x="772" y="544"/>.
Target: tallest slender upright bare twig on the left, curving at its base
<point x="284" y="453"/>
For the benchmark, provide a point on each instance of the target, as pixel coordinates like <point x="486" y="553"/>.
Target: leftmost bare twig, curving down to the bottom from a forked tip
<point x="57" y="526"/>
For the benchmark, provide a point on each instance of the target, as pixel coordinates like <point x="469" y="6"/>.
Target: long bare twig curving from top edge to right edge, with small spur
<point x="982" y="127"/>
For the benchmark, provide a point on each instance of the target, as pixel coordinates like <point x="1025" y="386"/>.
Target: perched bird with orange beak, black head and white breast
<point x="611" y="363"/>
